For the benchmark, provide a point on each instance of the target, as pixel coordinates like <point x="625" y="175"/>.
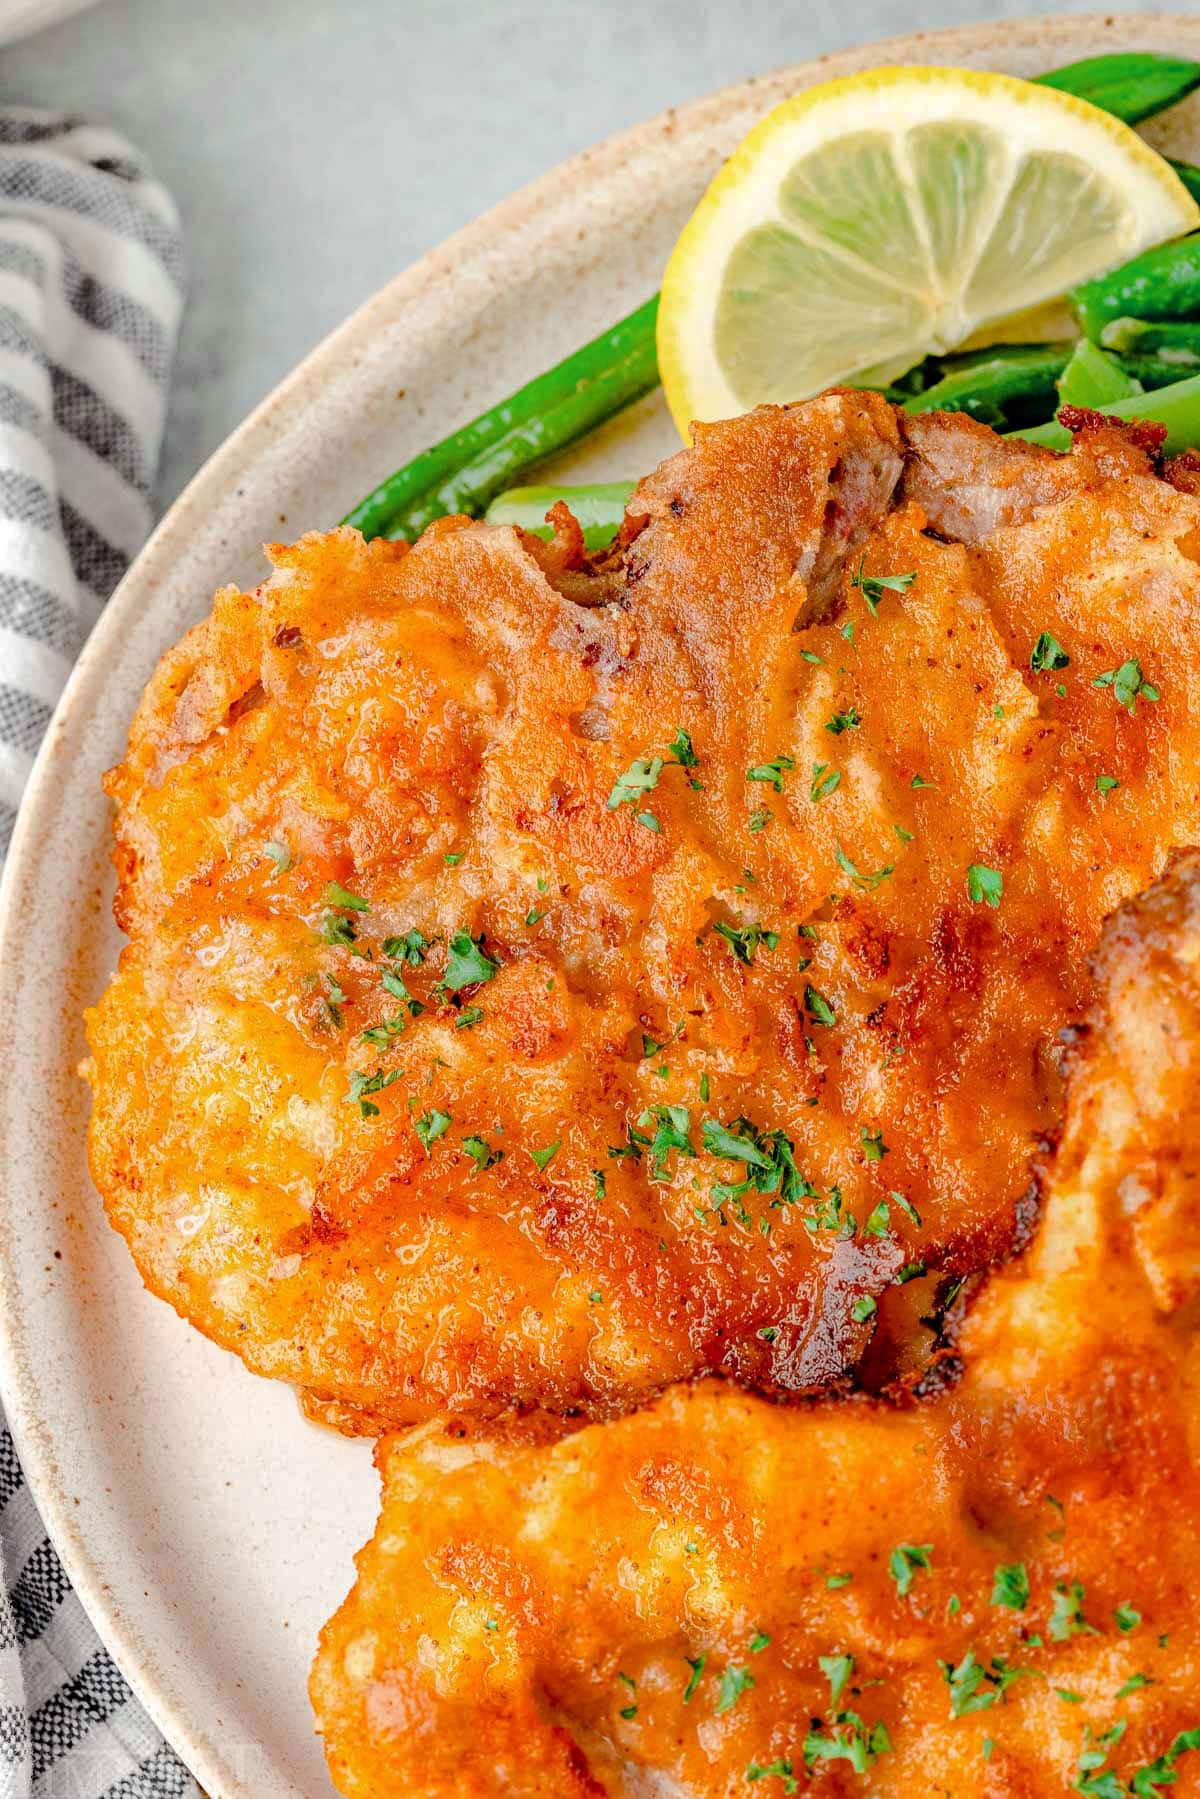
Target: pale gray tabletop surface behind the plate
<point x="316" y="150"/>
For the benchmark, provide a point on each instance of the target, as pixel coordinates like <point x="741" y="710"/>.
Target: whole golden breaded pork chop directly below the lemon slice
<point x="551" y="983"/>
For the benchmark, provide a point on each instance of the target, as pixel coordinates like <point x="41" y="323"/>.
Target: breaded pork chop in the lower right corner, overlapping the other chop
<point x="989" y="1593"/>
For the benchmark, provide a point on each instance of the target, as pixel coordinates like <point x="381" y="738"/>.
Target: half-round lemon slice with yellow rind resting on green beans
<point x="886" y="217"/>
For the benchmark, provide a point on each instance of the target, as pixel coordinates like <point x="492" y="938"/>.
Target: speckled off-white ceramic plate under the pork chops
<point x="206" y="1526"/>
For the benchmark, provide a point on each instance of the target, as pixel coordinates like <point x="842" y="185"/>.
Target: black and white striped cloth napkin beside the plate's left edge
<point x="91" y="298"/>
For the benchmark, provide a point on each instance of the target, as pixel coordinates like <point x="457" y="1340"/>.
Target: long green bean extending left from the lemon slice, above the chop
<point x="467" y="470"/>
